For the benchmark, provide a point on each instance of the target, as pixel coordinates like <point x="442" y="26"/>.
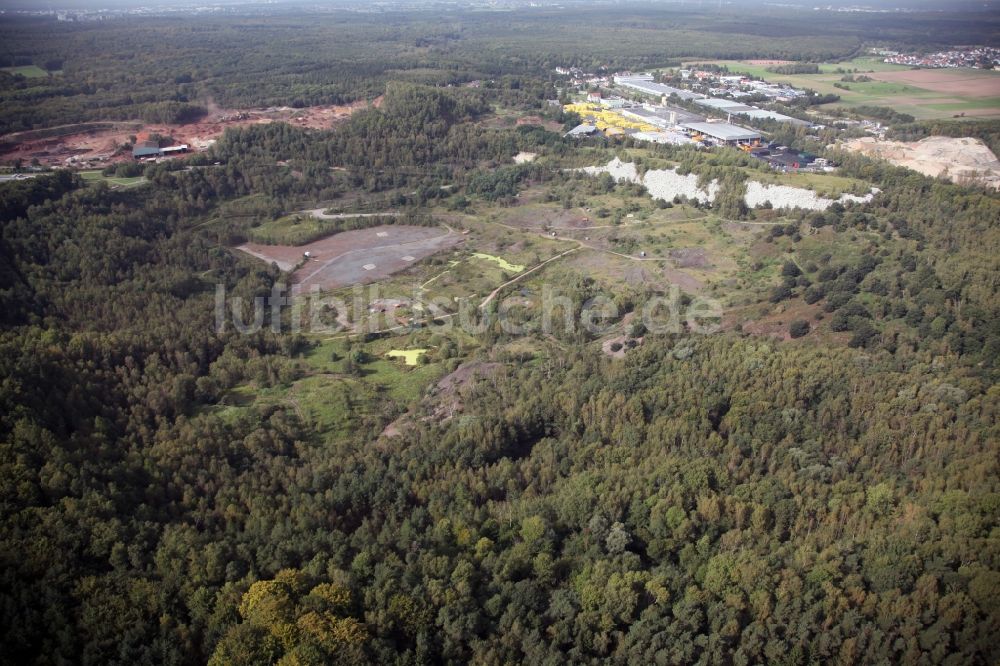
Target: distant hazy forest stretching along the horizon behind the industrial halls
<point x="169" y="68"/>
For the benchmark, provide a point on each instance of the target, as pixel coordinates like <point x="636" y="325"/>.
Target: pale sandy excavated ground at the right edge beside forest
<point x="964" y="160"/>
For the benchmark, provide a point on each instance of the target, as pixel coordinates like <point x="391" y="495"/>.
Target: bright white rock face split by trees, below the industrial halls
<point x="667" y="183"/>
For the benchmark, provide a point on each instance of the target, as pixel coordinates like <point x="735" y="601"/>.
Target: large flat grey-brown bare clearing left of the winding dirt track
<point x="355" y="257"/>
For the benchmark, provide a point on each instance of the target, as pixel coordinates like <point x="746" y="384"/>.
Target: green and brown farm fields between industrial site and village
<point x="925" y="94"/>
